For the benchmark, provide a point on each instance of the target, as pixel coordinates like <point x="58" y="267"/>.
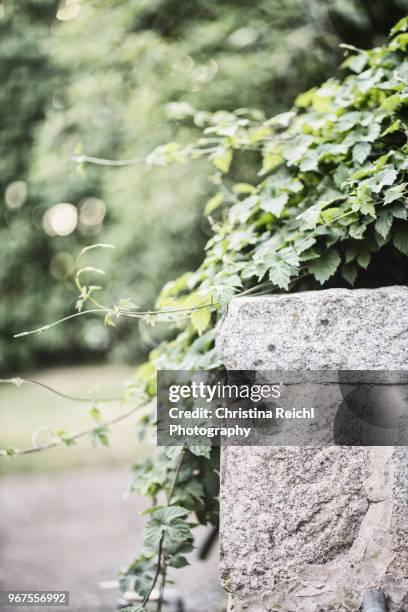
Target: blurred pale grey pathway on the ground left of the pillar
<point x="73" y="530"/>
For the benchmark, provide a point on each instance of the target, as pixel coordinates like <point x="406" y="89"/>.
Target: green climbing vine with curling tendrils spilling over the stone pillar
<point x="328" y="207"/>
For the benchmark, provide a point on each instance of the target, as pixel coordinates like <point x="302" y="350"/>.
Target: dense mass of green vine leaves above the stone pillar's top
<point x="331" y="193"/>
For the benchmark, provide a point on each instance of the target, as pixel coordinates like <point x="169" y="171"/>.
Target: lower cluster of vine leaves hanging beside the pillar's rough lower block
<point x="189" y="480"/>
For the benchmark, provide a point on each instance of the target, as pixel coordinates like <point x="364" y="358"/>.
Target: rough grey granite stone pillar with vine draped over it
<point x="310" y="529"/>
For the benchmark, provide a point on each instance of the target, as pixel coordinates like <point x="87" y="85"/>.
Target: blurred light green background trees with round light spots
<point x="130" y="73"/>
